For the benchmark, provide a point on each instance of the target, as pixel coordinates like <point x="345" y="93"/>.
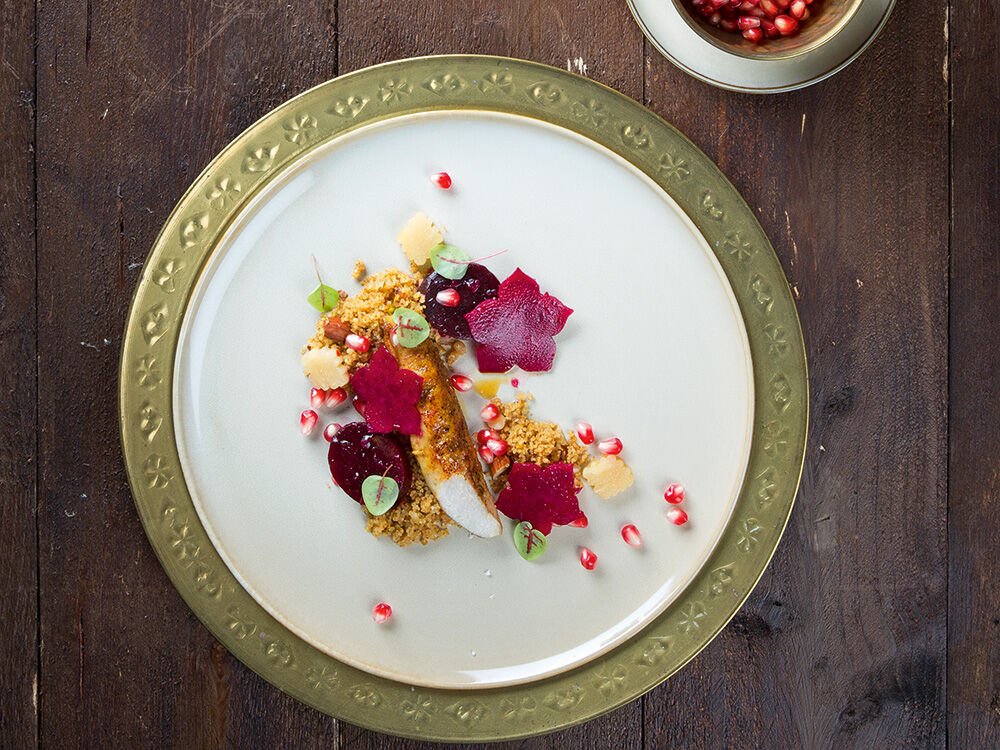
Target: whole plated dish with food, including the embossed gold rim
<point x="681" y="342"/>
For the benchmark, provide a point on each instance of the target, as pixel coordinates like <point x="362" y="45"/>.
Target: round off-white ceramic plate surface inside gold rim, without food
<point x="655" y="352"/>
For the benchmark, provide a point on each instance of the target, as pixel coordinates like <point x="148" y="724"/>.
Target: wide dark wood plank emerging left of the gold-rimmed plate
<point x="134" y="99"/>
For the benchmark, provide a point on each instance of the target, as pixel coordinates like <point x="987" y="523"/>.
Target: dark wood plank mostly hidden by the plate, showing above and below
<point x="591" y="36"/>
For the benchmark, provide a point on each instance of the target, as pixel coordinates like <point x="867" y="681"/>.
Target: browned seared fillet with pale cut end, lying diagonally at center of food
<point x="444" y="449"/>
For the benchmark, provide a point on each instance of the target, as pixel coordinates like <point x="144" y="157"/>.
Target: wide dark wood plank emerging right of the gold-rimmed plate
<point x="843" y="644"/>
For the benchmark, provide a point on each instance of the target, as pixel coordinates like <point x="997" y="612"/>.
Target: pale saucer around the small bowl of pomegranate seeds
<point x="672" y="30"/>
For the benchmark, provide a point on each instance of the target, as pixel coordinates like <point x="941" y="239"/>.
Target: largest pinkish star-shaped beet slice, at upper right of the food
<point x="517" y="327"/>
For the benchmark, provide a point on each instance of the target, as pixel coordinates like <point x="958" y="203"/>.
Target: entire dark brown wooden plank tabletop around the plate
<point x="877" y="622"/>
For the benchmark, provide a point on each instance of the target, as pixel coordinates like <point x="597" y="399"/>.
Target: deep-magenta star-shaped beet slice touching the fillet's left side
<point x="389" y="393"/>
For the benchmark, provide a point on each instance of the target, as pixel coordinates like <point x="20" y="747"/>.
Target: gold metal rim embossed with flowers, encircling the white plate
<point x="447" y="83"/>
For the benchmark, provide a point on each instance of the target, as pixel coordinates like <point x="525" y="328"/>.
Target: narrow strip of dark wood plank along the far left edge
<point x="18" y="448"/>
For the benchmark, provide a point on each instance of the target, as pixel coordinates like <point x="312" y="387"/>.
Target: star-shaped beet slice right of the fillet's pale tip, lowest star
<point x="540" y="496"/>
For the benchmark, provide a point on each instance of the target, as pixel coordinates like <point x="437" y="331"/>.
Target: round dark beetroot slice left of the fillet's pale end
<point x="357" y="452"/>
